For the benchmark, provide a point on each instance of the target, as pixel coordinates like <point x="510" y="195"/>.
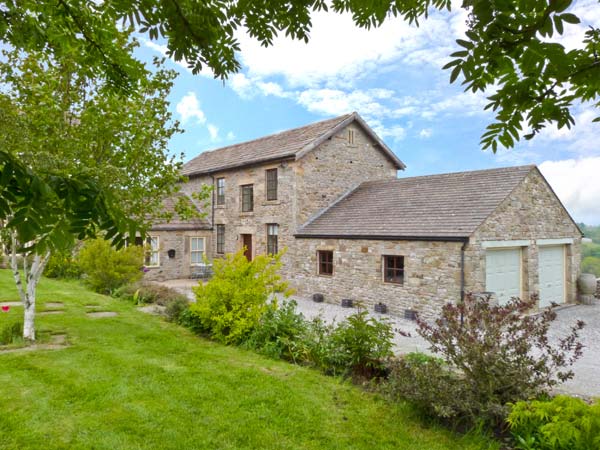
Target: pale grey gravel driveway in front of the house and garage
<point x="586" y="382"/>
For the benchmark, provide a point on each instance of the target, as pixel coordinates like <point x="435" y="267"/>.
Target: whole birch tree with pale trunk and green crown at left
<point x="93" y="158"/>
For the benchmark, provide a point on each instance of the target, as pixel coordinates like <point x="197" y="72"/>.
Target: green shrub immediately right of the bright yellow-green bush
<point x="280" y="333"/>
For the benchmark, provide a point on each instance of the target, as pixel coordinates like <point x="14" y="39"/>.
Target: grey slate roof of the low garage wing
<point x="447" y="206"/>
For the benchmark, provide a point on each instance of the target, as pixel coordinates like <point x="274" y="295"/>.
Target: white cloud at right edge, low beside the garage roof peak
<point x="577" y="184"/>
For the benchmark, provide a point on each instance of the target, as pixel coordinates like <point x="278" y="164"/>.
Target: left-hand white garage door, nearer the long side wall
<point x="503" y="273"/>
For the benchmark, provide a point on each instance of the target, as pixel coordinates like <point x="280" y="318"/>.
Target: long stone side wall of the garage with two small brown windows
<point x="431" y="278"/>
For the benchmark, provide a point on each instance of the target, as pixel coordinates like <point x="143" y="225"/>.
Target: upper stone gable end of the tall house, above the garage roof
<point x="335" y="167"/>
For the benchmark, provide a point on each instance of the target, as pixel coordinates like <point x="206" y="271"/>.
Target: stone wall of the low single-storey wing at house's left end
<point x="180" y="266"/>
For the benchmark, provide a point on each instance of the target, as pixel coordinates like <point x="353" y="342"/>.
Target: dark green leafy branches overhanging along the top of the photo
<point x="510" y="46"/>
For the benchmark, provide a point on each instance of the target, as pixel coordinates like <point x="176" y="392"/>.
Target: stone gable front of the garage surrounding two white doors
<point x="531" y="212"/>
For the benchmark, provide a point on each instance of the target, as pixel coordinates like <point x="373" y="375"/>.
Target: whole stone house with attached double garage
<point x="329" y="193"/>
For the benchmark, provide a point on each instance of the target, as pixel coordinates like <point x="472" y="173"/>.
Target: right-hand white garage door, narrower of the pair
<point x="552" y="275"/>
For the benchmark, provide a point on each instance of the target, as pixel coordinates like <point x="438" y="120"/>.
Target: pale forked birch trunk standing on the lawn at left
<point x="28" y="292"/>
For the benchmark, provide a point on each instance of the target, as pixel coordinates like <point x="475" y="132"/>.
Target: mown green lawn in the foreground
<point x="136" y="382"/>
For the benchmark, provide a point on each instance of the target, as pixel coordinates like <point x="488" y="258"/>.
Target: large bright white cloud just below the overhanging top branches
<point x="339" y="52"/>
